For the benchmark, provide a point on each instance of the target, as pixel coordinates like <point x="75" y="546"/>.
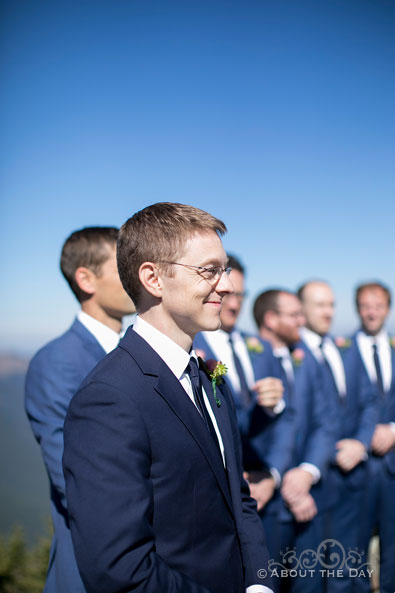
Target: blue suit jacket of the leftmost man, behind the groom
<point x="54" y="375"/>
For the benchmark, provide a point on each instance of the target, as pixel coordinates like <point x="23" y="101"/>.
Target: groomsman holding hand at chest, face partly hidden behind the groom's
<point x="265" y="427"/>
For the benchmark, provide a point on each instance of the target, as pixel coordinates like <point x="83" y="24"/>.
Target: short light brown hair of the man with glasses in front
<point x="158" y="233"/>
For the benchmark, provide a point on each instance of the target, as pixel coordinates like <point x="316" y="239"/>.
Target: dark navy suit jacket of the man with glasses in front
<point x="151" y="505"/>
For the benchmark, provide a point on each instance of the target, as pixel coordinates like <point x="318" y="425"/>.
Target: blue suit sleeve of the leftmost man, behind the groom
<point x="50" y="384"/>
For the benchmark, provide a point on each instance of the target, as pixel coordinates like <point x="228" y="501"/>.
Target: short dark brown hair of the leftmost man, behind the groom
<point x="86" y="248"/>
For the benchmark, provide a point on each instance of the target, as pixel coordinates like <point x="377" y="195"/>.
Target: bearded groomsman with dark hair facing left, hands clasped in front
<point x="298" y="519"/>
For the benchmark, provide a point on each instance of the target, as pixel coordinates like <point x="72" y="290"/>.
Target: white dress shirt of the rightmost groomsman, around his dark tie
<point x="365" y="345"/>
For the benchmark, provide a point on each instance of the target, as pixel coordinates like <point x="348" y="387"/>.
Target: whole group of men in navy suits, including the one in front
<point x="159" y="449"/>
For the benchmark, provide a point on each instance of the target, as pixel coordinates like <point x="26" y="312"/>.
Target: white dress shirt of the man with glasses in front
<point x="177" y="359"/>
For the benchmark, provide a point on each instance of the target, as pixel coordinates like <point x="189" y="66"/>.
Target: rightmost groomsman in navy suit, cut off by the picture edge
<point x="376" y="349"/>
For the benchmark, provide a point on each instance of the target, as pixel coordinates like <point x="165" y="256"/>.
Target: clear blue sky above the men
<point x="275" y="115"/>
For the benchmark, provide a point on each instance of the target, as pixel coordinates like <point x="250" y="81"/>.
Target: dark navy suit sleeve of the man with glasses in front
<point x="107" y="460"/>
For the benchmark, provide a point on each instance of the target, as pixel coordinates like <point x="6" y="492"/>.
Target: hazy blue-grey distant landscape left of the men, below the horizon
<point x="24" y="490"/>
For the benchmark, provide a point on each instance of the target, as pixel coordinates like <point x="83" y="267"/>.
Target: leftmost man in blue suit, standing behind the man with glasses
<point x="88" y="263"/>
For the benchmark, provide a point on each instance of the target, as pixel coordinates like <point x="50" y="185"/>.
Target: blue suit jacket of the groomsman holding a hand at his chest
<point x="267" y="438"/>
